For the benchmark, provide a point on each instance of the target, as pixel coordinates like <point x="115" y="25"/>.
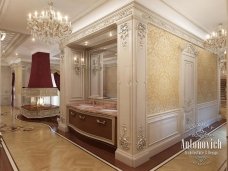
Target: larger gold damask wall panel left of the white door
<point x="163" y="64"/>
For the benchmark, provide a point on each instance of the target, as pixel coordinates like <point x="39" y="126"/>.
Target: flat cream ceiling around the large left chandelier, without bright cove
<point x="13" y="15"/>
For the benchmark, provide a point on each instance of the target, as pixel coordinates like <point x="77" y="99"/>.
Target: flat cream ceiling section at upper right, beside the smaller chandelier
<point x="206" y="14"/>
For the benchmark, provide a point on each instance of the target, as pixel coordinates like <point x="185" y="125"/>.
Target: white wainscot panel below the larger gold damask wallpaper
<point x="163" y="130"/>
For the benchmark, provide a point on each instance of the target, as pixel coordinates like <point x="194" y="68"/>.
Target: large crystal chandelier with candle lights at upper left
<point x="49" y="25"/>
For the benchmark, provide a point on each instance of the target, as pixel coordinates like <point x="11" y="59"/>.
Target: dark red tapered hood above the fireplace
<point x="40" y="76"/>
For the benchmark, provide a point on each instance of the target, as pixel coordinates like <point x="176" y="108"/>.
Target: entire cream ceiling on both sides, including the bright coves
<point x="195" y="16"/>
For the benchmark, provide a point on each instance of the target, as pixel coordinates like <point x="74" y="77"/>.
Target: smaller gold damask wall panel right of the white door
<point x="207" y="76"/>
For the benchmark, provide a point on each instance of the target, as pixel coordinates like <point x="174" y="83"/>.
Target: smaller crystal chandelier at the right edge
<point x="216" y="41"/>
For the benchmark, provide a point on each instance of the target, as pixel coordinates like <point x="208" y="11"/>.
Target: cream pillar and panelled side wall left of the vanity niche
<point x="71" y="83"/>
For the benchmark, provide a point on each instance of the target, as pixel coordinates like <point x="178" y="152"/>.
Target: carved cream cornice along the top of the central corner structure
<point x="142" y="13"/>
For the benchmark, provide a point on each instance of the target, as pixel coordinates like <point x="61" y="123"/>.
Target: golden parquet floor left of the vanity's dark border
<point x="34" y="146"/>
